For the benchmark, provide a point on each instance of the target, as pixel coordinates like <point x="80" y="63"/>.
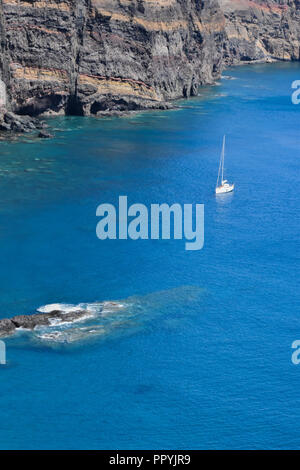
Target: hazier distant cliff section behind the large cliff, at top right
<point x="261" y="30"/>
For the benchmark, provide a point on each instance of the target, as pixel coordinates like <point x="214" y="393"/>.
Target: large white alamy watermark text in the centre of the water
<point x="160" y="221"/>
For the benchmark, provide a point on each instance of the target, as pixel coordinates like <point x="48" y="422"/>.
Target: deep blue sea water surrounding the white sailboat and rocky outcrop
<point x="201" y="357"/>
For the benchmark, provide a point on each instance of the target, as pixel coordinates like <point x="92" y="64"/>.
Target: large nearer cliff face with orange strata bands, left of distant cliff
<point x="86" y="56"/>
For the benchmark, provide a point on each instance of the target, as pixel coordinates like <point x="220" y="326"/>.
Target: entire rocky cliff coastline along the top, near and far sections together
<point x="99" y="58"/>
